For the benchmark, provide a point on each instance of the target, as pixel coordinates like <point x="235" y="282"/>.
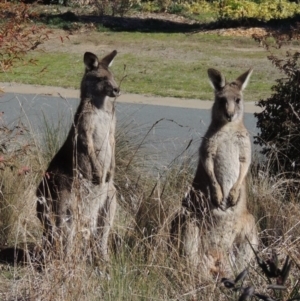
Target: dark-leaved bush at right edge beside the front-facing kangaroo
<point x="279" y="121"/>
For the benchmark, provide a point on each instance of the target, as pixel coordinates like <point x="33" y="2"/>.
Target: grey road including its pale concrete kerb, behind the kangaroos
<point x="165" y="125"/>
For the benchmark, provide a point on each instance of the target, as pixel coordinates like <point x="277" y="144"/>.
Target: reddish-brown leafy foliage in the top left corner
<point x="17" y="34"/>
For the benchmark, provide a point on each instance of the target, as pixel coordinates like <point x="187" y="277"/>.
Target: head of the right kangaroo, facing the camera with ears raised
<point x="228" y="105"/>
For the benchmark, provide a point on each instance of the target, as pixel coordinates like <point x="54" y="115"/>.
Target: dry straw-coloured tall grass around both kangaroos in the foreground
<point x="143" y="264"/>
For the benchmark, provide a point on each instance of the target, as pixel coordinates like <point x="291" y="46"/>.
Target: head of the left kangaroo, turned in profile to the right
<point x="98" y="81"/>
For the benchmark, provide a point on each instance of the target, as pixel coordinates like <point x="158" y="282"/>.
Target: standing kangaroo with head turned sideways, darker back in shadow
<point x="77" y="192"/>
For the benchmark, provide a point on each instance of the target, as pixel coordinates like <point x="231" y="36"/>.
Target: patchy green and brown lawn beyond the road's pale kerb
<point x="154" y="63"/>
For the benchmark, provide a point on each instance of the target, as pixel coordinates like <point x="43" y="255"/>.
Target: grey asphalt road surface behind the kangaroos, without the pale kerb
<point x="165" y="131"/>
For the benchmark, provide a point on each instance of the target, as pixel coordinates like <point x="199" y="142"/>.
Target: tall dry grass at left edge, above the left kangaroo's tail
<point x="18" y="173"/>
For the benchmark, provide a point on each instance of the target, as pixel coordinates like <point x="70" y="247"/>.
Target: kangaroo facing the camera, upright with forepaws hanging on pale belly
<point x="215" y="217"/>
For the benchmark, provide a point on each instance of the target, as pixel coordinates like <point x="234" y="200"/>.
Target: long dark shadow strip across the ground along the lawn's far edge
<point x="66" y="21"/>
